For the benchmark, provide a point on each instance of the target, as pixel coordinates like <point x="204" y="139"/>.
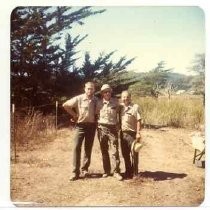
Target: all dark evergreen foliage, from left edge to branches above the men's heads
<point x="42" y="70"/>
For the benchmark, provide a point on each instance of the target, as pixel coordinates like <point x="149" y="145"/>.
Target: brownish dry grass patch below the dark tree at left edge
<point x="32" y="128"/>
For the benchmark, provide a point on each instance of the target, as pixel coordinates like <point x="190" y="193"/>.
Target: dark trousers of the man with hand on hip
<point x="84" y="131"/>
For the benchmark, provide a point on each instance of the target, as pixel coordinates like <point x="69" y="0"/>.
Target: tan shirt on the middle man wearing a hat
<point x="107" y="111"/>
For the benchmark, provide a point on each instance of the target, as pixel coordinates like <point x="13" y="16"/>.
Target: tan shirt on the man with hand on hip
<point x="84" y="107"/>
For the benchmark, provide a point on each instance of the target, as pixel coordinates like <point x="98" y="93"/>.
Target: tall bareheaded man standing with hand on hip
<point x="82" y="110"/>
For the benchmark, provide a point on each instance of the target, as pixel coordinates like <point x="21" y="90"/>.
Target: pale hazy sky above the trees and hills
<point x="151" y="34"/>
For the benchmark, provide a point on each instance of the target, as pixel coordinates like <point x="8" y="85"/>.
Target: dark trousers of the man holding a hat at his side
<point x="131" y="159"/>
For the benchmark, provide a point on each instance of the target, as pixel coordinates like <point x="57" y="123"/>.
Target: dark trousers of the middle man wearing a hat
<point x="108" y="139"/>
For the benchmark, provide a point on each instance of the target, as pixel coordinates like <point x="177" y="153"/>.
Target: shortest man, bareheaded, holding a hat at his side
<point x="130" y="131"/>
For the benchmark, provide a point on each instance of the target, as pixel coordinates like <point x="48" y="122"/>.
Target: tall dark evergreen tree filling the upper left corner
<point x="36" y="61"/>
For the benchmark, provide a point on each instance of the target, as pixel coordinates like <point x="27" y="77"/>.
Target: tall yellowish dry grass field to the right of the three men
<point x="179" y="111"/>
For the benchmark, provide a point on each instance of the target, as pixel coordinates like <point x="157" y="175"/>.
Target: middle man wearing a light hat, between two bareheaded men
<point x="107" y="111"/>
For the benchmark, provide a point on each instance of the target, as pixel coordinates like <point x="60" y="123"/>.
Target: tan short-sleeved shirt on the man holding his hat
<point x="129" y="116"/>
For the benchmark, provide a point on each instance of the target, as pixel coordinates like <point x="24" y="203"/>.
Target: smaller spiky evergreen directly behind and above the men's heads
<point x="104" y="70"/>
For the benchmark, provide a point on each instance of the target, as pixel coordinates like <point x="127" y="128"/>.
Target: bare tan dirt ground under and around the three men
<point x="167" y="176"/>
